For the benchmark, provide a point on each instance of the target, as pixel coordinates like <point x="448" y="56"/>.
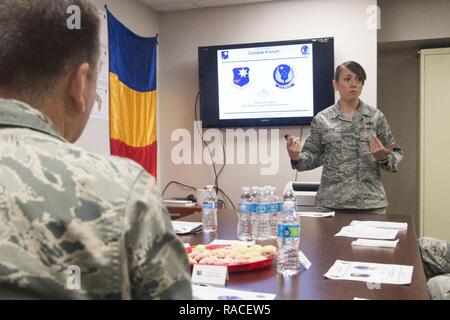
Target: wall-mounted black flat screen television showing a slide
<point x="280" y="83"/>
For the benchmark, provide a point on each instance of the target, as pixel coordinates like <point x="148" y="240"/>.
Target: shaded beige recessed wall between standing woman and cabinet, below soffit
<point x="398" y="99"/>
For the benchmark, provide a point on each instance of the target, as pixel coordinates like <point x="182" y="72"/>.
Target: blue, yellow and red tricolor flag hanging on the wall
<point x="132" y="93"/>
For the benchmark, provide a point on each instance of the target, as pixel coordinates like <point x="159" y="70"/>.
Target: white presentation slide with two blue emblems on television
<point x="266" y="82"/>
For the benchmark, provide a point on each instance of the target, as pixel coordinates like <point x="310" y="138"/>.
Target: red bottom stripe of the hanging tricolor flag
<point x="145" y="156"/>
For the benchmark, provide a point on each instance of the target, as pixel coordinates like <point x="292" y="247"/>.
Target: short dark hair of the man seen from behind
<point x="36" y="45"/>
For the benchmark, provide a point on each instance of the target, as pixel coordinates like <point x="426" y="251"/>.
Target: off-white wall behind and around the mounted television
<point x="182" y="32"/>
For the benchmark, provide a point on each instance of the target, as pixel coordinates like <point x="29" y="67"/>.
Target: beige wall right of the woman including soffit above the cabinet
<point x="406" y="27"/>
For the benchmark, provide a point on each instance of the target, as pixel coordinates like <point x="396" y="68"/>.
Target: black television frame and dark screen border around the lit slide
<point x="323" y="73"/>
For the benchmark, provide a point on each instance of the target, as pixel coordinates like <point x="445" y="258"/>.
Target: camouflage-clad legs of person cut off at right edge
<point x="436" y="262"/>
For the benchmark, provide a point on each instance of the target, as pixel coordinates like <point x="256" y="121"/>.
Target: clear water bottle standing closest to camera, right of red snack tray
<point x="288" y="241"/>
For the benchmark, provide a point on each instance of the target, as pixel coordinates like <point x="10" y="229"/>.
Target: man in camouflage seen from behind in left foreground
<point x="73" y="225"/>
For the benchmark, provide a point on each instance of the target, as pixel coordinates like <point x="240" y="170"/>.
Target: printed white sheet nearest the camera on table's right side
<point x="370" y="272"/>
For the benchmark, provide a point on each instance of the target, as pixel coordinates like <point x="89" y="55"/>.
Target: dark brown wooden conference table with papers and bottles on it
<point x="322" y="248"/>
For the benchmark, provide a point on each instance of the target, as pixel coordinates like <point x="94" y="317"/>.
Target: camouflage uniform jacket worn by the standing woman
<point x="351" y="177"/>
